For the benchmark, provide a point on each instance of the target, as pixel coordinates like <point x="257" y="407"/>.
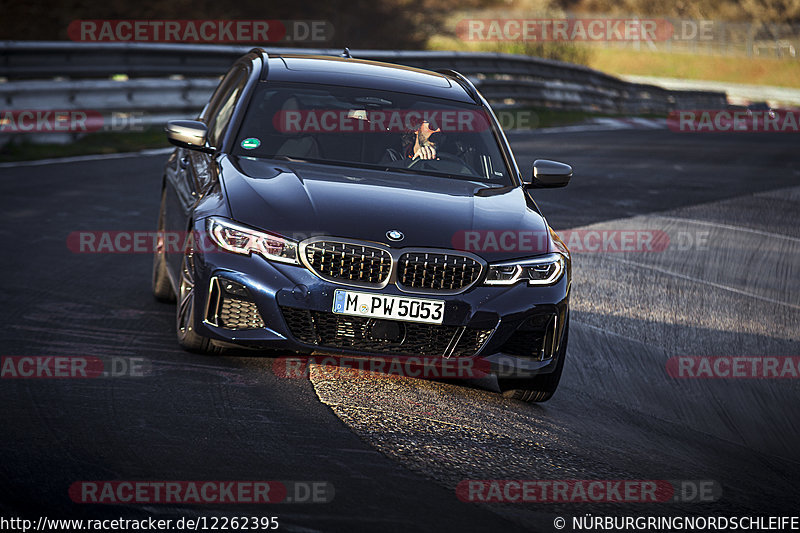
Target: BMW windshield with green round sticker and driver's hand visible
<point x="371" y="129"/>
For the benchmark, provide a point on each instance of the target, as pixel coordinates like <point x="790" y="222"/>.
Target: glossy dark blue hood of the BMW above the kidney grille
<point x="300" y="200"/>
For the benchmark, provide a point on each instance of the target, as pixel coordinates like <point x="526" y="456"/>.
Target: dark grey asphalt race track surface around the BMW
<point x="395" y="448"/>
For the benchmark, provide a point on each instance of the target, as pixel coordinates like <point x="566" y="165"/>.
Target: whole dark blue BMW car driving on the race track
<point x="327" y="204"/>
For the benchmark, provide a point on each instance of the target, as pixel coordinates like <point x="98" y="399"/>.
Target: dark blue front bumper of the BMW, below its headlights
<point x="253" y="302"/>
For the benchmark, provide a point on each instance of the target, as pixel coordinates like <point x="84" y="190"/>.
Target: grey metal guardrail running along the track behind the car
<point x="65" y="75"/>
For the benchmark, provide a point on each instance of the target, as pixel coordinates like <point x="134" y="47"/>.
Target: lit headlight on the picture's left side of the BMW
<point x="243" y="240"/>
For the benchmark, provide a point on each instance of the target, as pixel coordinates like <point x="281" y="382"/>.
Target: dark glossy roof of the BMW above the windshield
<point x="331" y="70"/>
